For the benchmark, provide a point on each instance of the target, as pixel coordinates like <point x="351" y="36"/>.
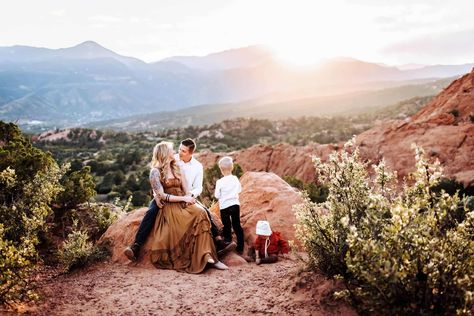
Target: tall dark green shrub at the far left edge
<point x="29" y="182"/>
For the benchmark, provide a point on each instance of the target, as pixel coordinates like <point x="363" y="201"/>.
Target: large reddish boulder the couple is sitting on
<point x="265" y="196"/>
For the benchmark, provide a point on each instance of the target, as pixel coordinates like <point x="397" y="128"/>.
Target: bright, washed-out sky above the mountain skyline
<point x="299" y="31"/>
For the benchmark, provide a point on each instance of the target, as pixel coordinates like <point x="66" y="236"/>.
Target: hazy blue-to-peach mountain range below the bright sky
<point x="42" y="88"/>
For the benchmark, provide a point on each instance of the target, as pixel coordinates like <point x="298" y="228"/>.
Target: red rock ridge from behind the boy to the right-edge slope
<point x="444" y="128"/>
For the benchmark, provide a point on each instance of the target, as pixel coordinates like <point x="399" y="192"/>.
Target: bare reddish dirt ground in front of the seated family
<point x="116" y="289"/>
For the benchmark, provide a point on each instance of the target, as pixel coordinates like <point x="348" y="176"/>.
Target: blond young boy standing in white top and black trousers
<point x="227" y="192"/>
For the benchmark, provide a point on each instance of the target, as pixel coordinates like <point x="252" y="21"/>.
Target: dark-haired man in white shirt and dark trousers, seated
<point x="194" y="174"/>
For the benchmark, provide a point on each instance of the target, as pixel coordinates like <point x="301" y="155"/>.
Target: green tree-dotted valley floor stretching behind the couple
<point x="119" y="161"/>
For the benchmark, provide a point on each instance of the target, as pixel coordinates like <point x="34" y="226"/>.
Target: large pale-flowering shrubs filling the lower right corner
<point x="408" y="252"/>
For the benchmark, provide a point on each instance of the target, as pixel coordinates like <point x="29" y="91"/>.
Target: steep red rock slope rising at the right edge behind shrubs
<point x="443" y="128"/>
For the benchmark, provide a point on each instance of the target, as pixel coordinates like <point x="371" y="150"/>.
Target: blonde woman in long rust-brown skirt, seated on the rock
<point x="182" y="236"/>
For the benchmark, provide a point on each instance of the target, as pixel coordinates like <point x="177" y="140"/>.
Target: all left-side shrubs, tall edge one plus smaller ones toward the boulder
<point x="36" y="194"/>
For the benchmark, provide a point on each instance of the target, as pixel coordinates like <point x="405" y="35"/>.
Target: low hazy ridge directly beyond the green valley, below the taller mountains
<point x="345" y="104"/>
